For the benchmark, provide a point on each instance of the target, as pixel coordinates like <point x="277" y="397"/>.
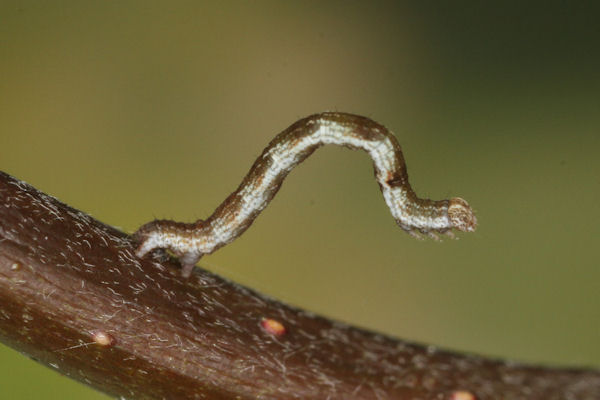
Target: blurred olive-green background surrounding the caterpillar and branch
<point x="136" y="110"/>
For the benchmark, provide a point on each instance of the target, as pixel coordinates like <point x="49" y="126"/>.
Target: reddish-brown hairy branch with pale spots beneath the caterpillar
<point x="75" y="297"/>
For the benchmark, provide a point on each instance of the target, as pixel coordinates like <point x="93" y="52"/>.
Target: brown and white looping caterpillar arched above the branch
<point x="189" y="242"/>
